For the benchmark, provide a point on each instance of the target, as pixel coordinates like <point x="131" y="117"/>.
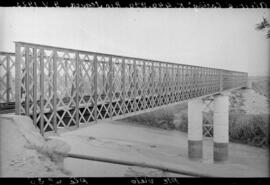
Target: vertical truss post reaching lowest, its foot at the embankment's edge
<point x="42" y="91"/>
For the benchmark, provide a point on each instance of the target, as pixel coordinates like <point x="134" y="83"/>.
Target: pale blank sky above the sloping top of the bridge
<point x="220" y="38"/>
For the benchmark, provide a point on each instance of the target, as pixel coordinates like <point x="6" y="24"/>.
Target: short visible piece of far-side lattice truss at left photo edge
<point x="7" y="78"/>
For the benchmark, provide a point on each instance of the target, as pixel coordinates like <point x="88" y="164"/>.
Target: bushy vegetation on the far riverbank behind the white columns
<point x="243" y="128"/>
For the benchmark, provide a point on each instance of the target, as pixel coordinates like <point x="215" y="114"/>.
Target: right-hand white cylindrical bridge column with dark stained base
<point x="221" y="128"/>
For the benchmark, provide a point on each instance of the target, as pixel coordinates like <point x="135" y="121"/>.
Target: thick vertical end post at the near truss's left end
<point x="18" y="80"/>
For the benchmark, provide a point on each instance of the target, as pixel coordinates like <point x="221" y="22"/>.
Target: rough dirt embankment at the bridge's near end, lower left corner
<point x="18" y="156"/>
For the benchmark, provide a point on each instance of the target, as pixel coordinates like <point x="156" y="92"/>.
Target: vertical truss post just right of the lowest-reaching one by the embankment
<point x="54" y="90"/>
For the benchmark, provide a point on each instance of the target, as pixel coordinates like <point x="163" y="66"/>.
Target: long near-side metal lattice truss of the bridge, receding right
<point x="61" y="87"/>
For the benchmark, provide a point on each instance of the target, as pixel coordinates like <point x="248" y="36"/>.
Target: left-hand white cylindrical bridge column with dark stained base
<point x="195" y="120"/>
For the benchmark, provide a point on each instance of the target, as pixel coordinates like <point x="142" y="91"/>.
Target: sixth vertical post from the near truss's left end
<point x="77" y="81"/>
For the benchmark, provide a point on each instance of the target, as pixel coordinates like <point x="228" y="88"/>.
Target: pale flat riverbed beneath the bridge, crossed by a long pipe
<point x="122" y="140"/>
